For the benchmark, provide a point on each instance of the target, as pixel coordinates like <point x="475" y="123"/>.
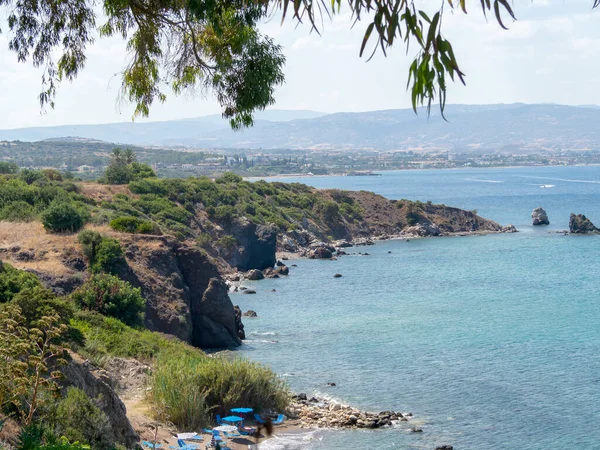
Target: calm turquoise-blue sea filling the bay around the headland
<point x="491" y="342"/>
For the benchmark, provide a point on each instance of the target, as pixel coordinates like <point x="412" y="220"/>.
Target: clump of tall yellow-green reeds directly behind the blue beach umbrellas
<point x="188" y="391"/>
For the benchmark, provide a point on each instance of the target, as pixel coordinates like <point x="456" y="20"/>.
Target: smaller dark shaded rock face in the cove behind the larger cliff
<point x="256" y="245"/>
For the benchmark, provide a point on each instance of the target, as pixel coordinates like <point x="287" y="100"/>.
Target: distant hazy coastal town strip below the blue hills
<point x="87" y="159"/>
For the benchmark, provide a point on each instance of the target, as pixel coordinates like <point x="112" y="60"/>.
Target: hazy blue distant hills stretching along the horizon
<point x="470" y="128"/>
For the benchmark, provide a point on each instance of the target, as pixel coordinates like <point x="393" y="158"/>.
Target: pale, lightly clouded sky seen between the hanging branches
<point x="550" y="54"/>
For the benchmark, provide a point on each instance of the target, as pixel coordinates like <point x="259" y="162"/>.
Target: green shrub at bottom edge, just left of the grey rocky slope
<point x="80" y="420"/>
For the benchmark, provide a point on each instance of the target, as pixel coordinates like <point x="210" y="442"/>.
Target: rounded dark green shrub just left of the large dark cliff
<point x="111" y="296"/>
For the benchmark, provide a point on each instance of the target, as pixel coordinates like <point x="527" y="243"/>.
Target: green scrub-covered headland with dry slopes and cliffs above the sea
<point x="127" y="259"/>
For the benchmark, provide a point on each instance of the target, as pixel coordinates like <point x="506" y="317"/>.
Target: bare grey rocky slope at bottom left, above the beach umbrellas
<point x="97" y="385"/>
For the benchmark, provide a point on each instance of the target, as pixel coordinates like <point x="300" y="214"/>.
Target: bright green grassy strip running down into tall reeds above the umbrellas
<point x="188" y="387"/>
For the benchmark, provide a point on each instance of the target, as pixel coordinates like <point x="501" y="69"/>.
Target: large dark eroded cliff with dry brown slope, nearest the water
<point x="184" y="290"/>
